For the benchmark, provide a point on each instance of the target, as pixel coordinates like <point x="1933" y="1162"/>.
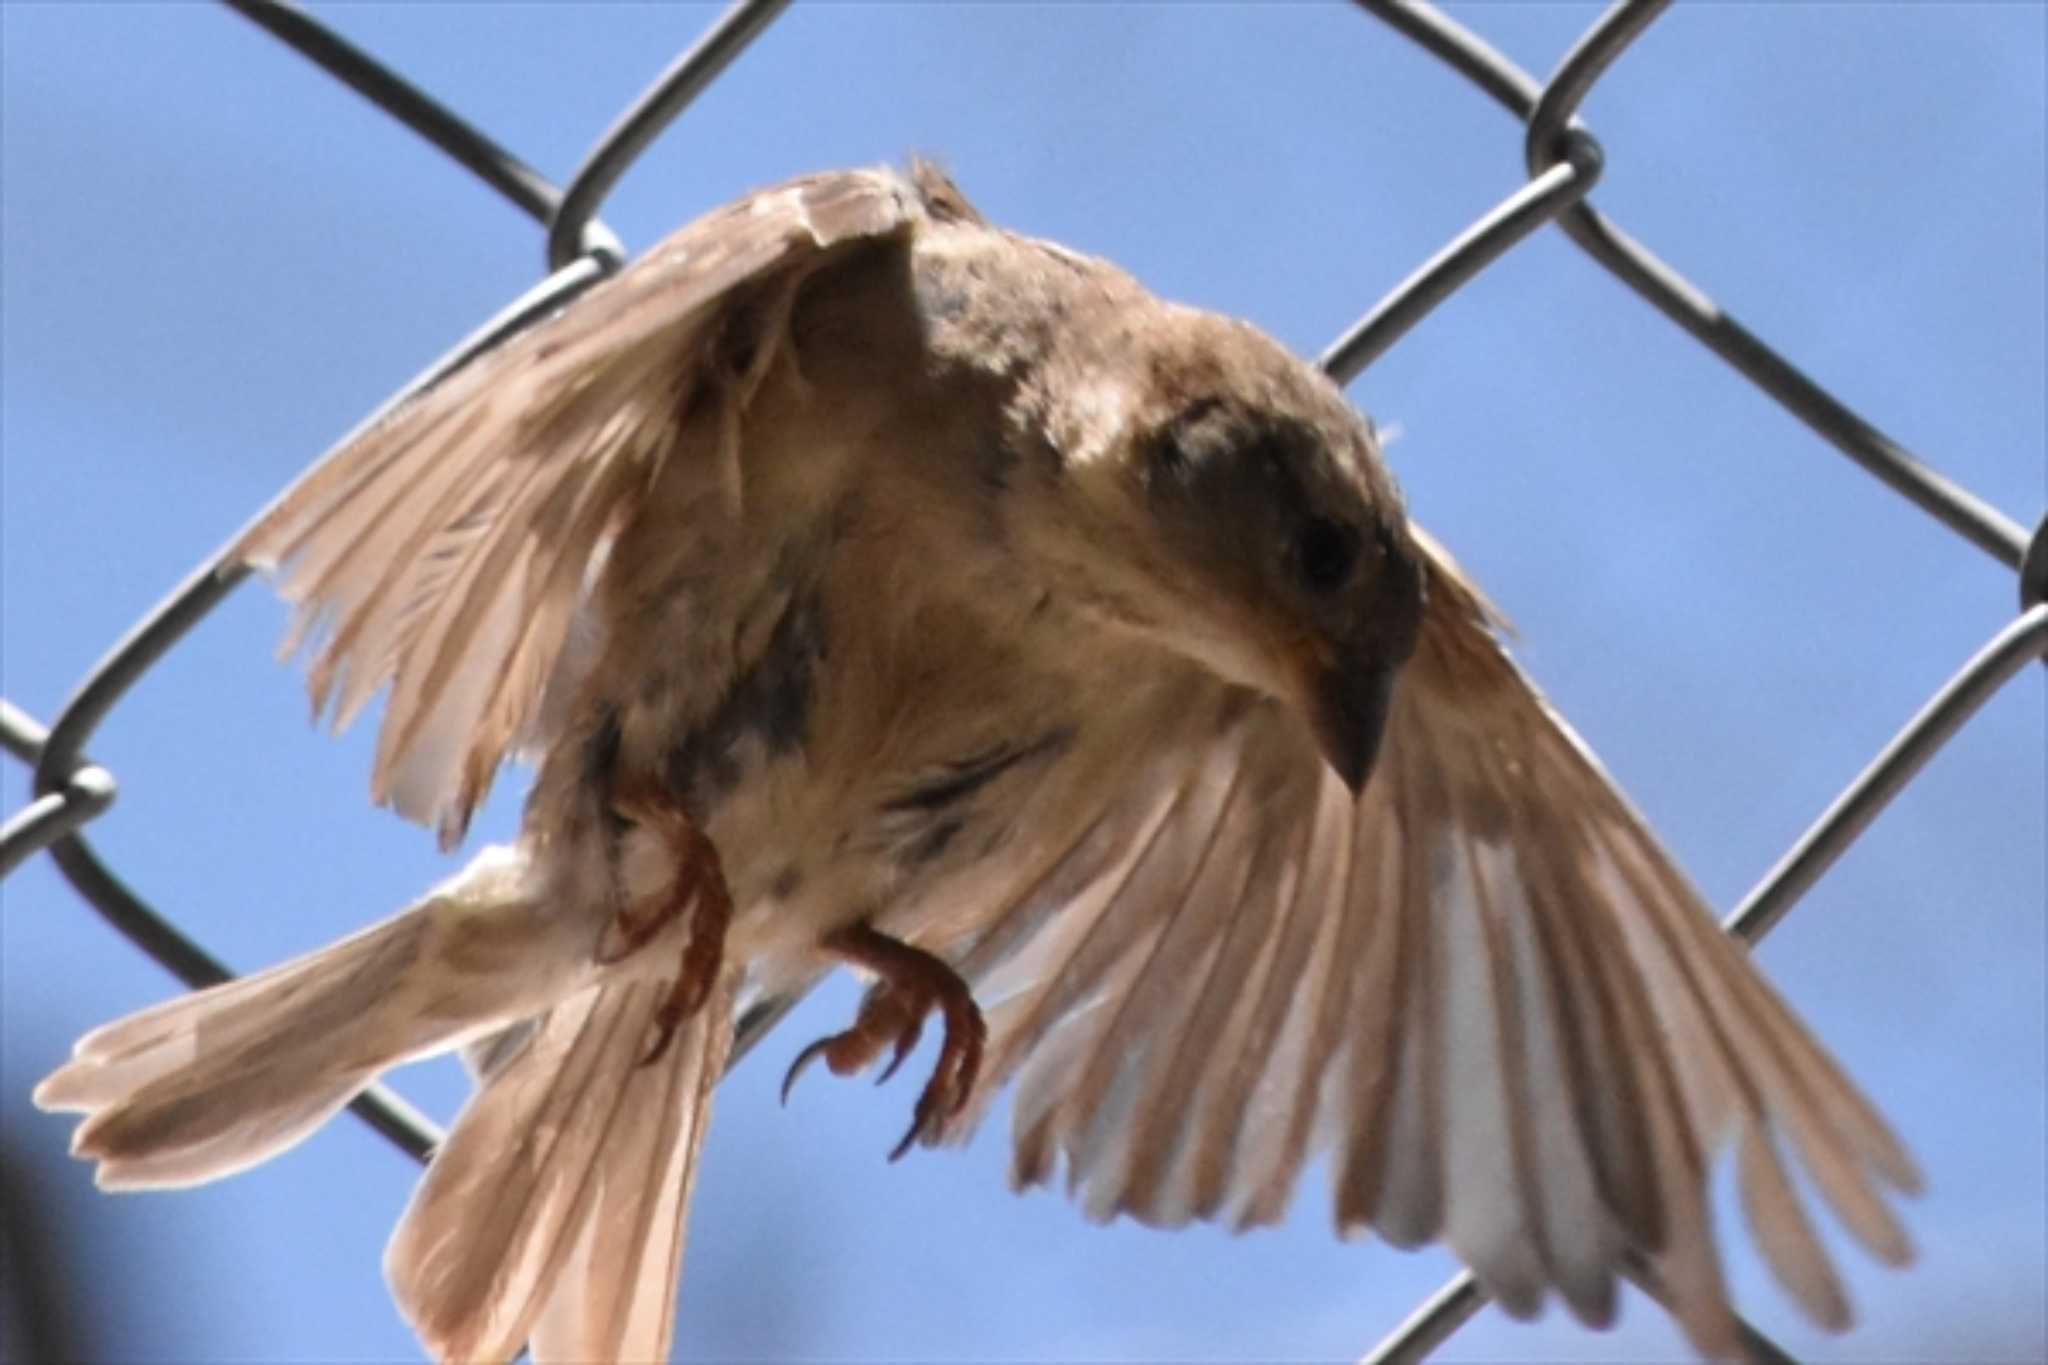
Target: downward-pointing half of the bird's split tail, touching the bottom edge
<point x="556" y="1210"/>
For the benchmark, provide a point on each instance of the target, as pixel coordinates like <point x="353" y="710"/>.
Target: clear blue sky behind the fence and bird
<point x="216" y="261"/>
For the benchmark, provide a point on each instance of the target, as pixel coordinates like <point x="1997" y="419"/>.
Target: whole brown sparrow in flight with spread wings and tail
<point x="878" y="588"/>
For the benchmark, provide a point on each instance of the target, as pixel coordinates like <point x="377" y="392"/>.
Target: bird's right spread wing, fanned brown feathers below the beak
<point x="1482" y="992"/>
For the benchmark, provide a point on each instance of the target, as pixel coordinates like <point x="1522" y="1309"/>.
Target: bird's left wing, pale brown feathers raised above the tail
<point x="447" y="549"/>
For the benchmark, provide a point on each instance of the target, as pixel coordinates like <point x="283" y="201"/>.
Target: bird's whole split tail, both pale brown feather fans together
<point x="554" y="1210"/>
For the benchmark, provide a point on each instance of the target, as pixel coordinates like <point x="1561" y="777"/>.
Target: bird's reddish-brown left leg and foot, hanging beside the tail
<point x="697" y="891"/>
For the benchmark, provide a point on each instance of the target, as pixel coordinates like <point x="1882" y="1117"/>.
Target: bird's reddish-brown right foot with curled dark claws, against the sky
<point x="912" y="983"/>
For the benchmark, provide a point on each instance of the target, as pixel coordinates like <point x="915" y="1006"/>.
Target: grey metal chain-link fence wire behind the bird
<point x="1564" y="167"/>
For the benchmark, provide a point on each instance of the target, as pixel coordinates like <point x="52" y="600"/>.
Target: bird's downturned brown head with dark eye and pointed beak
<point x="1224" y="500"/>
